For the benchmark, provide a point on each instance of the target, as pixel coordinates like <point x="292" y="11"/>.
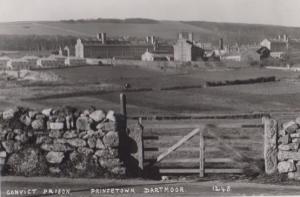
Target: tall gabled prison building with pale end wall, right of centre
<point x="185" y="50"/>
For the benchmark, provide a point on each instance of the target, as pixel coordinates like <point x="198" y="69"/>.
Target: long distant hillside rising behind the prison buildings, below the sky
<point x="140" y="28"/>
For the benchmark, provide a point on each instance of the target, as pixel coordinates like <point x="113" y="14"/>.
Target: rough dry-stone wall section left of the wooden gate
<point x="60" y="142"/>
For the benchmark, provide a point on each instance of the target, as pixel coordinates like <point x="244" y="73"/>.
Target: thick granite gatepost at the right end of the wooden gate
<point x="270" y="144"/>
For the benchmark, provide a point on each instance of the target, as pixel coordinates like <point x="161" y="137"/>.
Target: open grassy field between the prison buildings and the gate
<point x="270" y="96"/>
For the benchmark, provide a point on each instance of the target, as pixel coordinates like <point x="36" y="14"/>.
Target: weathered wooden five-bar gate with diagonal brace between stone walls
<point x="200" y="146"/>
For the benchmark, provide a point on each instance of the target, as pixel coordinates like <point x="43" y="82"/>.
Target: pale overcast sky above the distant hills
<point x="278" y="12"/>
